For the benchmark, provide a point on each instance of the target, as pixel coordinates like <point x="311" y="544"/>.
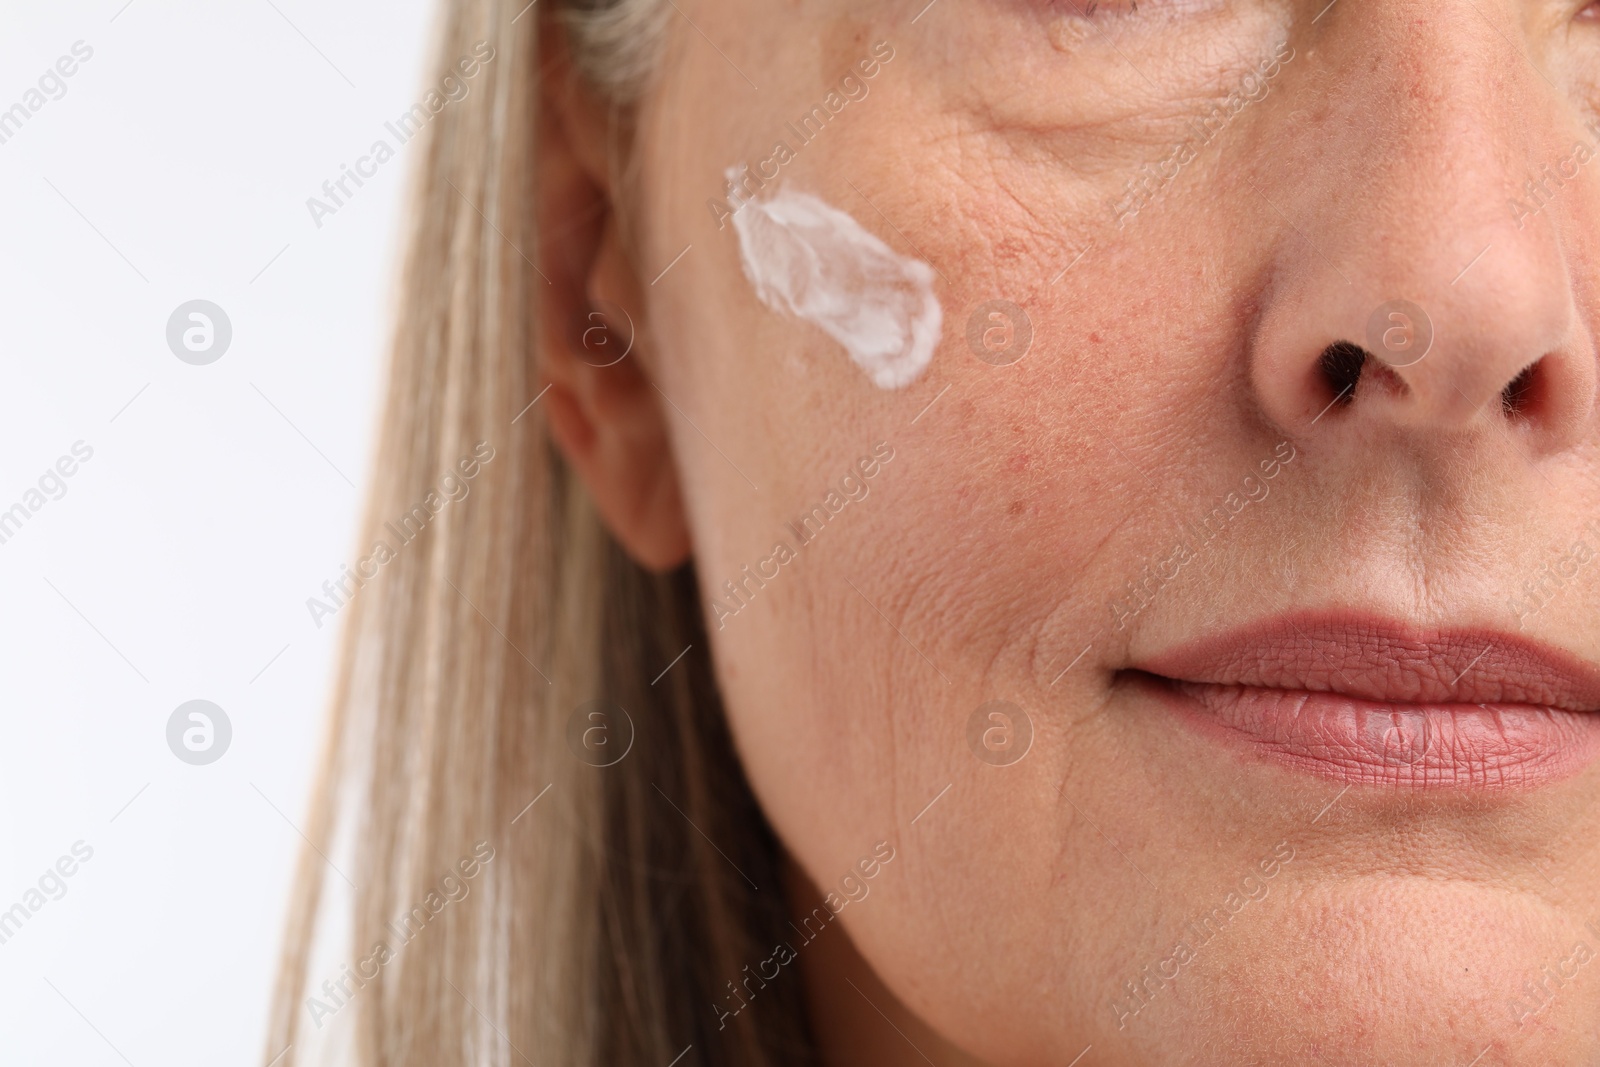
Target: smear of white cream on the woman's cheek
<point x="814" y="262"/>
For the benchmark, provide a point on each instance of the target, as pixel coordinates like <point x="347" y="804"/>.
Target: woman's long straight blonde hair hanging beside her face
<point x="606" y="925"/>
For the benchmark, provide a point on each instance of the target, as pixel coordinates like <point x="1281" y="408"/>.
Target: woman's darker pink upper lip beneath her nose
<point x="1380" y="660"/>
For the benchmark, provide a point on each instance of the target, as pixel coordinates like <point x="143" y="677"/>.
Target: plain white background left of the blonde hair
<point x="180" y="561"/>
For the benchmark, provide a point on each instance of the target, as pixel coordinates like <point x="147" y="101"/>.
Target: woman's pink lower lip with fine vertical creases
<point x="1404" y="746"/>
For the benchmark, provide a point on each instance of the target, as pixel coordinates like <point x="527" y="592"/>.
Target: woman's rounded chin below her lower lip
<point x="1402" y="970"/>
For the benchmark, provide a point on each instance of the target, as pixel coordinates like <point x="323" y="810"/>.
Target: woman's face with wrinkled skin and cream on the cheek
<point x="1297" y="757"/>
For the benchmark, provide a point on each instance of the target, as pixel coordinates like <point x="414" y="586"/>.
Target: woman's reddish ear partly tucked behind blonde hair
<point x="602" y="409"/>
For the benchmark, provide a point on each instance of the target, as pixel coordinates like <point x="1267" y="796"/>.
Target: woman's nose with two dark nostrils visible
<point x="1420" y="281"/>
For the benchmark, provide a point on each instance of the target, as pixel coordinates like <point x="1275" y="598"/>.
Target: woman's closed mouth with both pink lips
<point x="1372" y="701"/>
